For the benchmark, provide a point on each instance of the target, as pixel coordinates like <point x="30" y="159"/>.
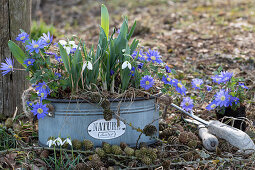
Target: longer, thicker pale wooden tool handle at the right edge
<point x="233" y="135"/>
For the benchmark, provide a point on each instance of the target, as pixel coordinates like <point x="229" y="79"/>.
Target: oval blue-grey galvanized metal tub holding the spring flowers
<point x="80" y="120"/>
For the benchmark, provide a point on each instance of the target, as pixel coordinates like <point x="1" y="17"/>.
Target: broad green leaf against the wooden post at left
<point x="17" y="52"/>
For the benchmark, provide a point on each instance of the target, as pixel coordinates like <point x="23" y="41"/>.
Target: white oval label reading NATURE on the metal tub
<point x="102" y="129"/>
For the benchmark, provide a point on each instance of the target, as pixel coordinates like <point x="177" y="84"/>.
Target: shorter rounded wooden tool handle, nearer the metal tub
<point x="210" y="142"/>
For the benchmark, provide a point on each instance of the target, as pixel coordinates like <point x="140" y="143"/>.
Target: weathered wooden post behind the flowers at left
<point x="14" y="15"/>
